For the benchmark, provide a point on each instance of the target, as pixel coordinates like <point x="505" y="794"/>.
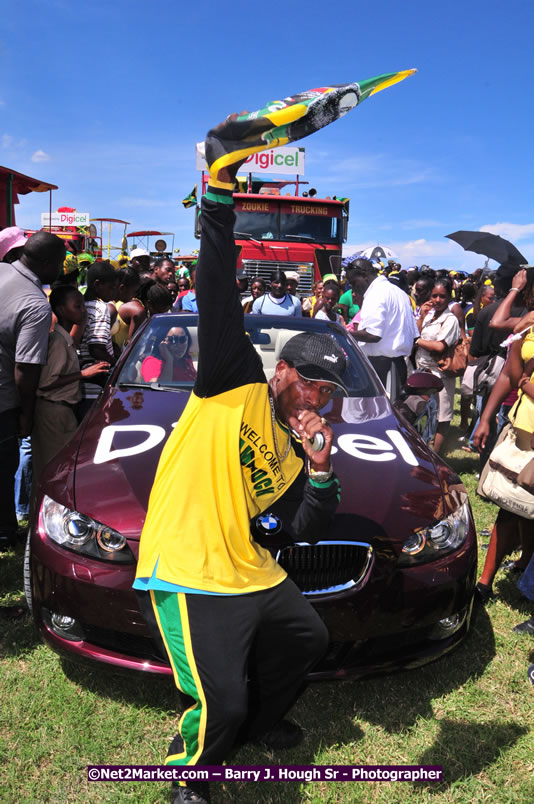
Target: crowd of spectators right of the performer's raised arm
<point x="407" y="320"/>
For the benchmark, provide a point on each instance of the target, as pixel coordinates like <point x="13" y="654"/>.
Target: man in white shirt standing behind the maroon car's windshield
<point x="387" y="327"/>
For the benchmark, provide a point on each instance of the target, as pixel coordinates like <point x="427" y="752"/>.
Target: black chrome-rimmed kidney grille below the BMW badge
<point x="327" y="567"/>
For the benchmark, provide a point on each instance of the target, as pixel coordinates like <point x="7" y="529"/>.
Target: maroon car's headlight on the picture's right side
<point x="427" y="544"/>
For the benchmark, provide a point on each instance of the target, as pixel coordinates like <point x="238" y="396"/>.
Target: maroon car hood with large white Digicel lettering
<point x="387" y="473"/>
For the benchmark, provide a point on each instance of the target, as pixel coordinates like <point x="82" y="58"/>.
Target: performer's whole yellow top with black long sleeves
<point x="224" y="463"/>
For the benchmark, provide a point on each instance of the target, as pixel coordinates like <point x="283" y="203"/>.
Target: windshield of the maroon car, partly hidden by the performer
<point x="176" y="335"/>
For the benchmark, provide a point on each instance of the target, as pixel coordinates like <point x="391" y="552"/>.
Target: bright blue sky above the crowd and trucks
<point x="108" y="100"/>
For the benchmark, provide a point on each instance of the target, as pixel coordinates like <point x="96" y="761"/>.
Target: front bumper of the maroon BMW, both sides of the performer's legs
<point x="397" y="620"/>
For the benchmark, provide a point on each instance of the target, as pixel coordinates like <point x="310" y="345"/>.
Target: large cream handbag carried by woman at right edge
<point x="508" y="477"/>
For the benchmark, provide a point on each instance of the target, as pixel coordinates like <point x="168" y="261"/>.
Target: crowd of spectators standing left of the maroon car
<point x="67" y="319"/>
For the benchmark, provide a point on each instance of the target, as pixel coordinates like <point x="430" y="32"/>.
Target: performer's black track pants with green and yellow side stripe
<point x="240" y="660"/>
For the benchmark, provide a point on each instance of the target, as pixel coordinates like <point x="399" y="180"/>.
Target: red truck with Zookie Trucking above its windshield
<point x="300" y="233"/>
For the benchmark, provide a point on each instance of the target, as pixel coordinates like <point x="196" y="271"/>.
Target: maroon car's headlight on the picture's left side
<point x="82" y="534"/>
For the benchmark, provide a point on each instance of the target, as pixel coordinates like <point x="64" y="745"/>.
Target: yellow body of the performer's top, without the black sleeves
<point x="203" y="540"/>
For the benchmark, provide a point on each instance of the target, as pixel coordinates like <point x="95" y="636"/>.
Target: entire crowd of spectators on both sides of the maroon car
<point x="58" y="347"/>
